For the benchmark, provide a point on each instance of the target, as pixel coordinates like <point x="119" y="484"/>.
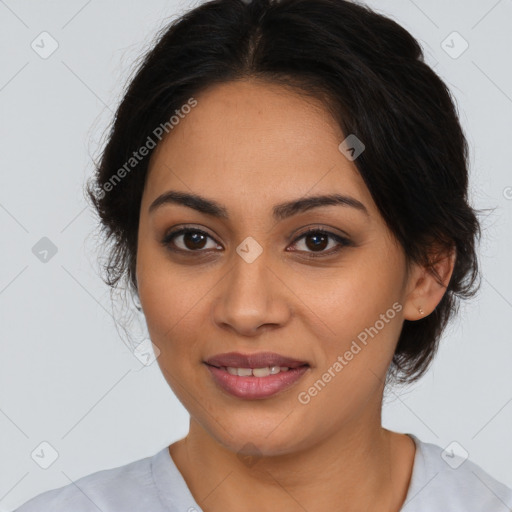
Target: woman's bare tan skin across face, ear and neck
<point x="250" y="145"/>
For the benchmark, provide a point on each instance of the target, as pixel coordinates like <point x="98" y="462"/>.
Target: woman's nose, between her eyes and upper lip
<point x="252" y="298"/>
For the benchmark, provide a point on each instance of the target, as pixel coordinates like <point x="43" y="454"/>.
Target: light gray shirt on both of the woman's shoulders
<point x="440" y="482"/>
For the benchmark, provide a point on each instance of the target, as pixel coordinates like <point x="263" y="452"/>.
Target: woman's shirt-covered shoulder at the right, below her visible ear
<point x="443" y="480"/>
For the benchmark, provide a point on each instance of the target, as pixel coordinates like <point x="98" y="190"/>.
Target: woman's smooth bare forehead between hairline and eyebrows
<point x="252" y="143"/>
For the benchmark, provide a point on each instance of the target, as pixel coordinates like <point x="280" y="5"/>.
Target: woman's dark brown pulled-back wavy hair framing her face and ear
<point x="371" y="75"/>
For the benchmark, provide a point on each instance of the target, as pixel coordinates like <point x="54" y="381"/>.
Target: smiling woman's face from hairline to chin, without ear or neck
<point x="245" y="279"/>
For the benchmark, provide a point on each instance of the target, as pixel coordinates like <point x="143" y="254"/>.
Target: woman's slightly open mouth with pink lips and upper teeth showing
<point x="255" y="376"/>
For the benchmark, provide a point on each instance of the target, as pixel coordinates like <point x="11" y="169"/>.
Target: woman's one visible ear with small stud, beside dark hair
<point x="427" y="283"/>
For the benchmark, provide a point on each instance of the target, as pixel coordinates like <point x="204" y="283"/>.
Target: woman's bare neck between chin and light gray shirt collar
<point x="361" y="467"/>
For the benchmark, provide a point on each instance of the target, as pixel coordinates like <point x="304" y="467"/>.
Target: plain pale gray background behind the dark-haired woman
<point x="66" y="376"/>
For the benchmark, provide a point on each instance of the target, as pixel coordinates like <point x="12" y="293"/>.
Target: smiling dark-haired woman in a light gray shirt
<point x="285" y="190"/>
